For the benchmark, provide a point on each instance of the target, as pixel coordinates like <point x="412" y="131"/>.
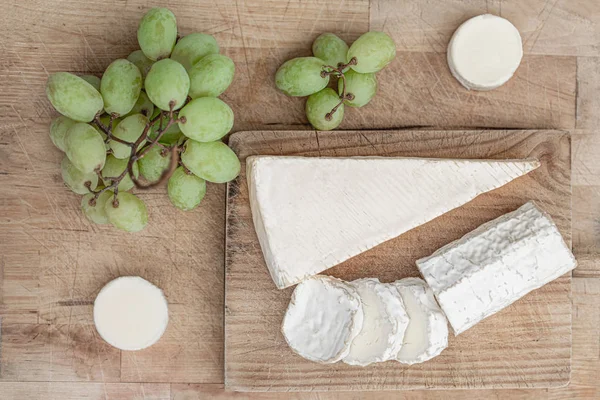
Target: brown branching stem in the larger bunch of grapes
<point x="175" y="149"/>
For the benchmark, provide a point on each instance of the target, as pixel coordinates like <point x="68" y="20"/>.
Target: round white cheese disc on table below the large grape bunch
<point x="130" y="313"/>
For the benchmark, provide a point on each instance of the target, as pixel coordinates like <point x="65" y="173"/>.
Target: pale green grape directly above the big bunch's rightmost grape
<point x="206" y="119"/>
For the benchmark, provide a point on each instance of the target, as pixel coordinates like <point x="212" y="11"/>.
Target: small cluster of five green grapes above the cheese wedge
<point x="353" y="66"/>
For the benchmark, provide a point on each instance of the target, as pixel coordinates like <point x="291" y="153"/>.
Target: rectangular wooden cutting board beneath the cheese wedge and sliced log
<point x="526" y="345"/>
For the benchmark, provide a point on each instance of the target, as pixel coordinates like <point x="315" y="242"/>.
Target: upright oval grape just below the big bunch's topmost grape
<point x="167" y="81"/>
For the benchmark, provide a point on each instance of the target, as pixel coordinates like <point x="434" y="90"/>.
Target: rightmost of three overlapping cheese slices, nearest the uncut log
<point x="427" y="332"/>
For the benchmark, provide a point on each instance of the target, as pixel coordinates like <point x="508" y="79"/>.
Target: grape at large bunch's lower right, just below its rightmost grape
<point x="185" y="190"/>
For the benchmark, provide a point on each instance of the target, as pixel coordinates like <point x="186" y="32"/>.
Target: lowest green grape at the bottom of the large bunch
<point x="130" y="215"/>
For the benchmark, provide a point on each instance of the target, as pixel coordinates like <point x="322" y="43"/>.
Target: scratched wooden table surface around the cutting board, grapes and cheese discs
<point x="53" y="261"/>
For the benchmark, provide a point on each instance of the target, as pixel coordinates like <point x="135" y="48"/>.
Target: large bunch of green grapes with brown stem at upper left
<point x="154" y="115"/>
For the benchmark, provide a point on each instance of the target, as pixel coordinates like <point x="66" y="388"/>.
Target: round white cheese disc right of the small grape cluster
<point x="485" y="52"/>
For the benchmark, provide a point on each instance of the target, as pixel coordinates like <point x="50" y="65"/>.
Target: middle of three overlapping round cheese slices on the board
<point x="384" y="323"/>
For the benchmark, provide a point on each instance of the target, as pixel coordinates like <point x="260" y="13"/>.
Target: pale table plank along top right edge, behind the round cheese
<point x="558" y="27"/>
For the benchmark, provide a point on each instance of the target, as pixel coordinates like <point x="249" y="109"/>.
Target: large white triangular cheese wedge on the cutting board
<point x="313" y="213"/>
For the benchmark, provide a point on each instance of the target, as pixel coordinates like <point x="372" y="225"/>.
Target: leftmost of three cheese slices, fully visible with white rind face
<point x="322" y="319"/>
